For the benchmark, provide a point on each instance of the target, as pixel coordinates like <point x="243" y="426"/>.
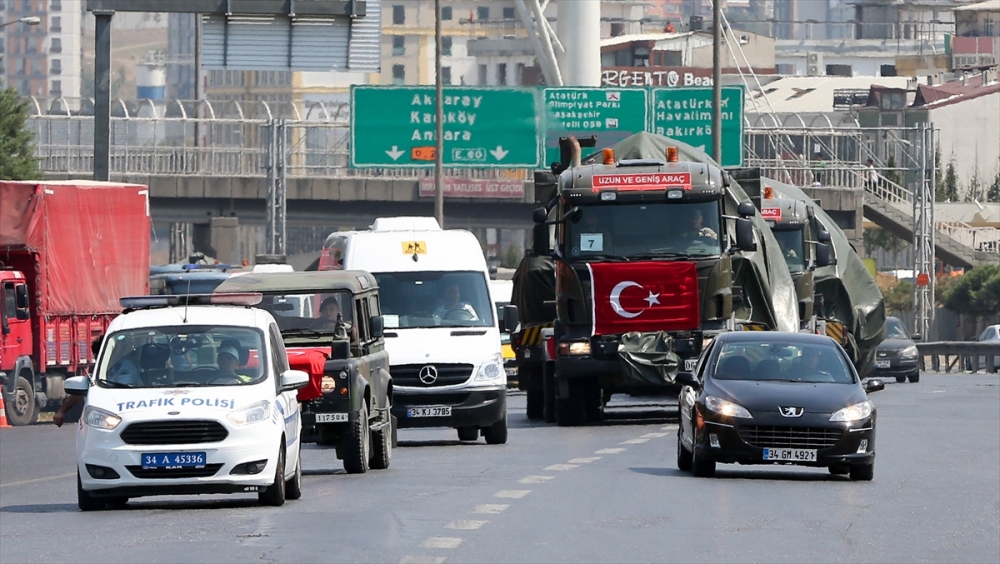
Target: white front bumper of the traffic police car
<point x="110" y="467"/>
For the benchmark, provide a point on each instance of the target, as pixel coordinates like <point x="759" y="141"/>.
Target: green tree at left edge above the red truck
<point x="17" y="151"/>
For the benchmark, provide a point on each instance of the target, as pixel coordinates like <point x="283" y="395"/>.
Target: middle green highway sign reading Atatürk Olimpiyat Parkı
<point x="610" y="114"/>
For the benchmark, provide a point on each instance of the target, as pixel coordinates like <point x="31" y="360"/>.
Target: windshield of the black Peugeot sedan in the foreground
<point x="784" y="362"/>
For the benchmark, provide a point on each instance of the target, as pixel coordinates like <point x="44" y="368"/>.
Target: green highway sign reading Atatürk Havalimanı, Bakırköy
<point x="685" y="114"/>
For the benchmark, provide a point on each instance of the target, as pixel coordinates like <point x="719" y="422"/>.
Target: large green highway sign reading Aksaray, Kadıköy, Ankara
<point x="483" y="127"/>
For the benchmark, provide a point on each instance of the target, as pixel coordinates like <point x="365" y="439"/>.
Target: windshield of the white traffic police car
<point x="184" y="356"/>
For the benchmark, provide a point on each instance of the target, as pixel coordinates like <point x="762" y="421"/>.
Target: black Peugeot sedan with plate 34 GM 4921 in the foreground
<point x="776" y="398"/>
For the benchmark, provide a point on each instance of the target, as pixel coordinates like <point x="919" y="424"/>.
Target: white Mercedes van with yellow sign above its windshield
<point x="441" y="330"/>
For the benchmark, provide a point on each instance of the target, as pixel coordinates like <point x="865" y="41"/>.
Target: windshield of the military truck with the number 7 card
<point x="644" y="230"/>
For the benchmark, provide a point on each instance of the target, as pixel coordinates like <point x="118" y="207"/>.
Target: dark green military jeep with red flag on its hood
<point x="331" y="326"/>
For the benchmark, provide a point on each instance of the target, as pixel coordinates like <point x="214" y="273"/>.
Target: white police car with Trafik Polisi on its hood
<point x="190" y="395"/>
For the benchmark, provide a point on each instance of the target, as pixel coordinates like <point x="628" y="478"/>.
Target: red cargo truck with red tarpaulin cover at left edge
<point x="68" y="251"/>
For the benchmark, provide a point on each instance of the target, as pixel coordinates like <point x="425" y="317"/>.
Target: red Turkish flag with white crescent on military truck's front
<point x="644" y="297"/>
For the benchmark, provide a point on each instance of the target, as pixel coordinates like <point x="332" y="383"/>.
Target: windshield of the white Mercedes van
<point x="435" y="299"/>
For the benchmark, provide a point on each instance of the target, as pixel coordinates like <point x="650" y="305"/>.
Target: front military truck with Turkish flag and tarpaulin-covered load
<point x="652" y="255"/>
